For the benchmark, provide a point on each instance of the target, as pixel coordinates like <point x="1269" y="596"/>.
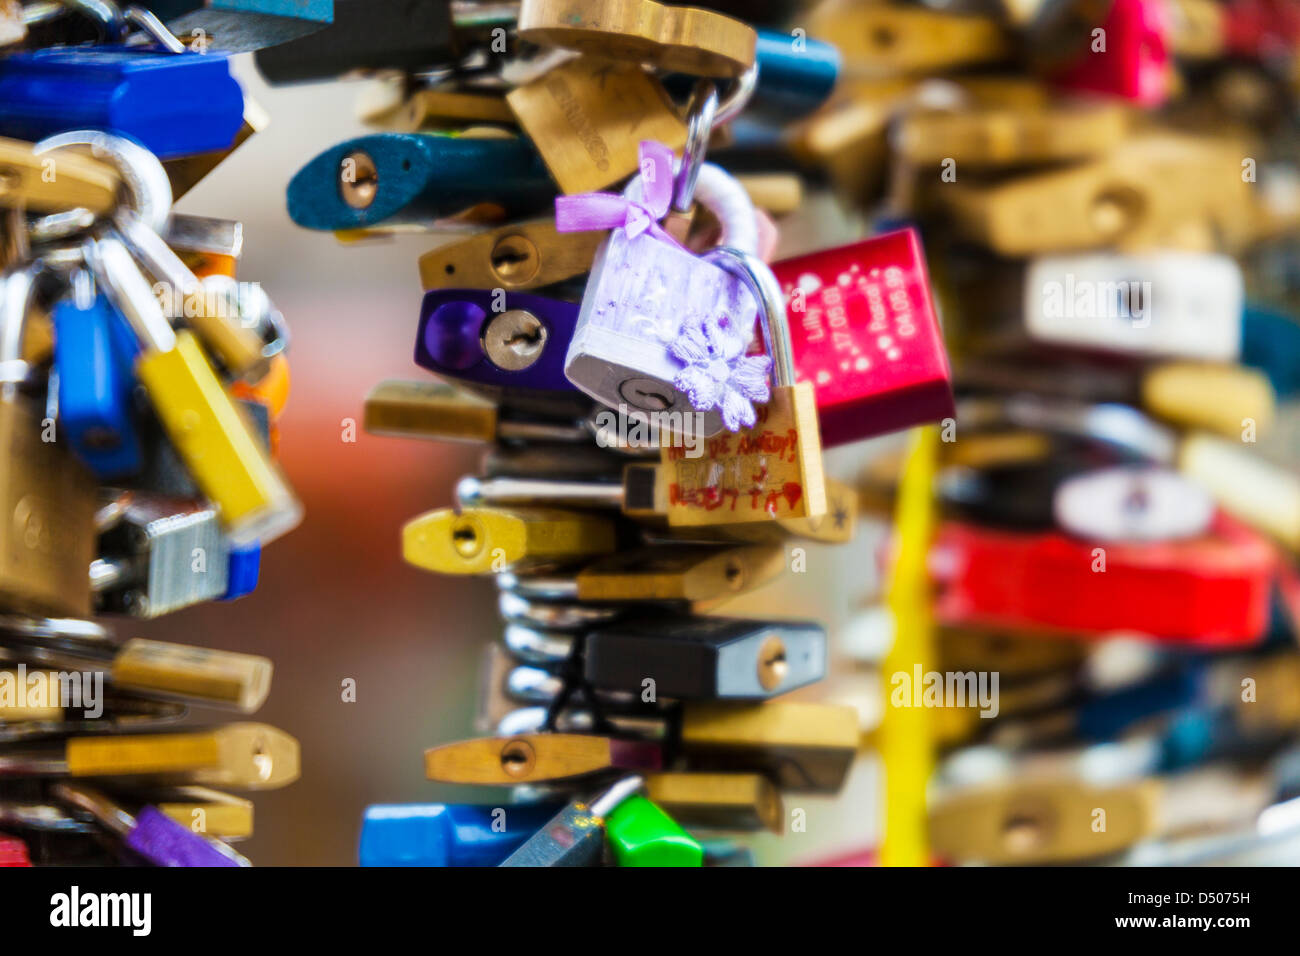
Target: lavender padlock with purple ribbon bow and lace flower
<point x="662" y="332"/>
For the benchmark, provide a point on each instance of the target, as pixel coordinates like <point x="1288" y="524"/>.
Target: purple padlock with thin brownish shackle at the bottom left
<point x="150" y="834"/>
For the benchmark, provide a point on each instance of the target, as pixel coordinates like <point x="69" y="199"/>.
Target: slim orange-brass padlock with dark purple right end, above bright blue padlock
<point x="536" y="759"/>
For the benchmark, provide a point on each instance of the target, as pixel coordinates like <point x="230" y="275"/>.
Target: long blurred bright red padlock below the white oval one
<point x="1208" y="591"/>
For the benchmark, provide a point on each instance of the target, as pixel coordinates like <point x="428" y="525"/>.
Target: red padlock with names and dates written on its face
<point x="864" y="332"/>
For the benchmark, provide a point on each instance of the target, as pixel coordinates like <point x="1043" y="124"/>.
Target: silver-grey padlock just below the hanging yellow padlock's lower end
<point x="167" y="553"/>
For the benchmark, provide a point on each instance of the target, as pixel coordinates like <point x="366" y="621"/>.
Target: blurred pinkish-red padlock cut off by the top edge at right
<point x="1136" y="62"/>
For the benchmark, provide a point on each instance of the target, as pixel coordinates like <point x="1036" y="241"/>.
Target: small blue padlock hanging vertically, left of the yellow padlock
<point x="96" y="386"/>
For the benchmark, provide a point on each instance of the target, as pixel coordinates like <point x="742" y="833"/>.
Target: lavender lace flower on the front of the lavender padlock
<point x="718" y="374"/>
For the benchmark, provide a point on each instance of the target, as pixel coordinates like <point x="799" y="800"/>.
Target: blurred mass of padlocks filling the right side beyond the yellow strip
<point x="1112" y="241"/>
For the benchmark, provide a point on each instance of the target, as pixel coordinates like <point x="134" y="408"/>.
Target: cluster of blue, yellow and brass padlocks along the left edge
<point x="140" y="397"/>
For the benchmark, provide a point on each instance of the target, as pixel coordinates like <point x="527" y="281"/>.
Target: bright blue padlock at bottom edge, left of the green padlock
<point x="449" y="834"/>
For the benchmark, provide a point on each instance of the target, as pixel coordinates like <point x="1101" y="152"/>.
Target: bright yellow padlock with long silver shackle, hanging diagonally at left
<point x="201" y="418"/>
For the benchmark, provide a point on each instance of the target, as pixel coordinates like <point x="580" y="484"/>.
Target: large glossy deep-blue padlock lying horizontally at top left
<point x="175" y="105"/>
